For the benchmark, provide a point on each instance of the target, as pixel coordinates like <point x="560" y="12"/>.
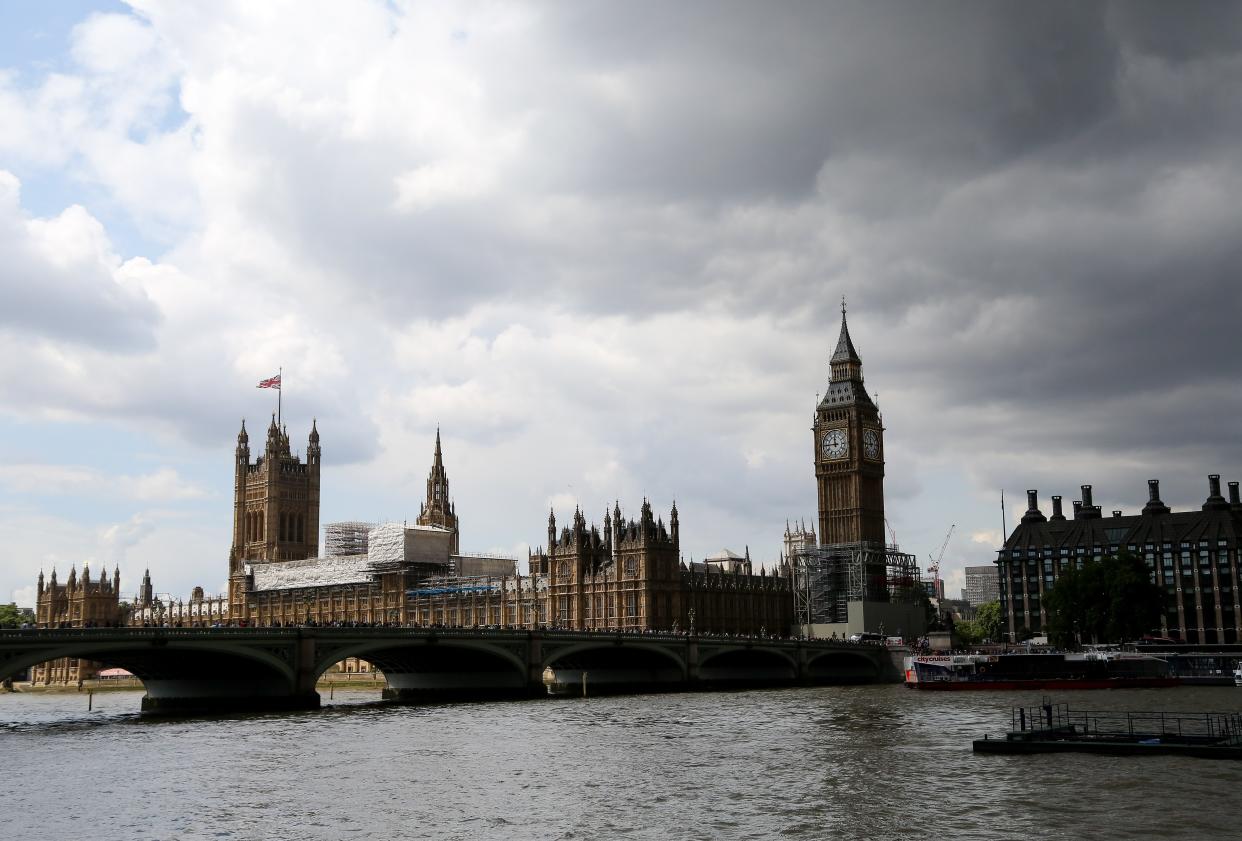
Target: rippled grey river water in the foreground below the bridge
<point x="874" y="762"/>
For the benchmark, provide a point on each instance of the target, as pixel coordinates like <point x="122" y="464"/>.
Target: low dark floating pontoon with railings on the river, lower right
<point x="1055" y="729"/>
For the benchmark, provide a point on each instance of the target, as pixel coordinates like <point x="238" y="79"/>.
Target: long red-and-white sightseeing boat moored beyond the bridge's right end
<point x="1038" y="671"/>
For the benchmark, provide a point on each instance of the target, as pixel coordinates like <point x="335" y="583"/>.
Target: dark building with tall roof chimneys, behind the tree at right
<point x="1194" y="555"/>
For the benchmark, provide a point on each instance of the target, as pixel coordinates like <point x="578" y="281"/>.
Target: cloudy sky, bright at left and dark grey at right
<point x="603" y="248"/>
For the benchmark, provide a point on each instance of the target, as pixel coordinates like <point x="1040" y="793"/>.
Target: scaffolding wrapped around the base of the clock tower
<point x="827" y="580"/>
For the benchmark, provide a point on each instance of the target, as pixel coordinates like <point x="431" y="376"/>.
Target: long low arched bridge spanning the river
<point x="256" y="669"/>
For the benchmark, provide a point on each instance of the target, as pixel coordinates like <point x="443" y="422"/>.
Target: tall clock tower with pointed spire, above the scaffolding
<point x="849" y="454"/>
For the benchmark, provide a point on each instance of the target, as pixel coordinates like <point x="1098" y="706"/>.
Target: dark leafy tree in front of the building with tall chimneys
<point x="1110" y="601"/>
